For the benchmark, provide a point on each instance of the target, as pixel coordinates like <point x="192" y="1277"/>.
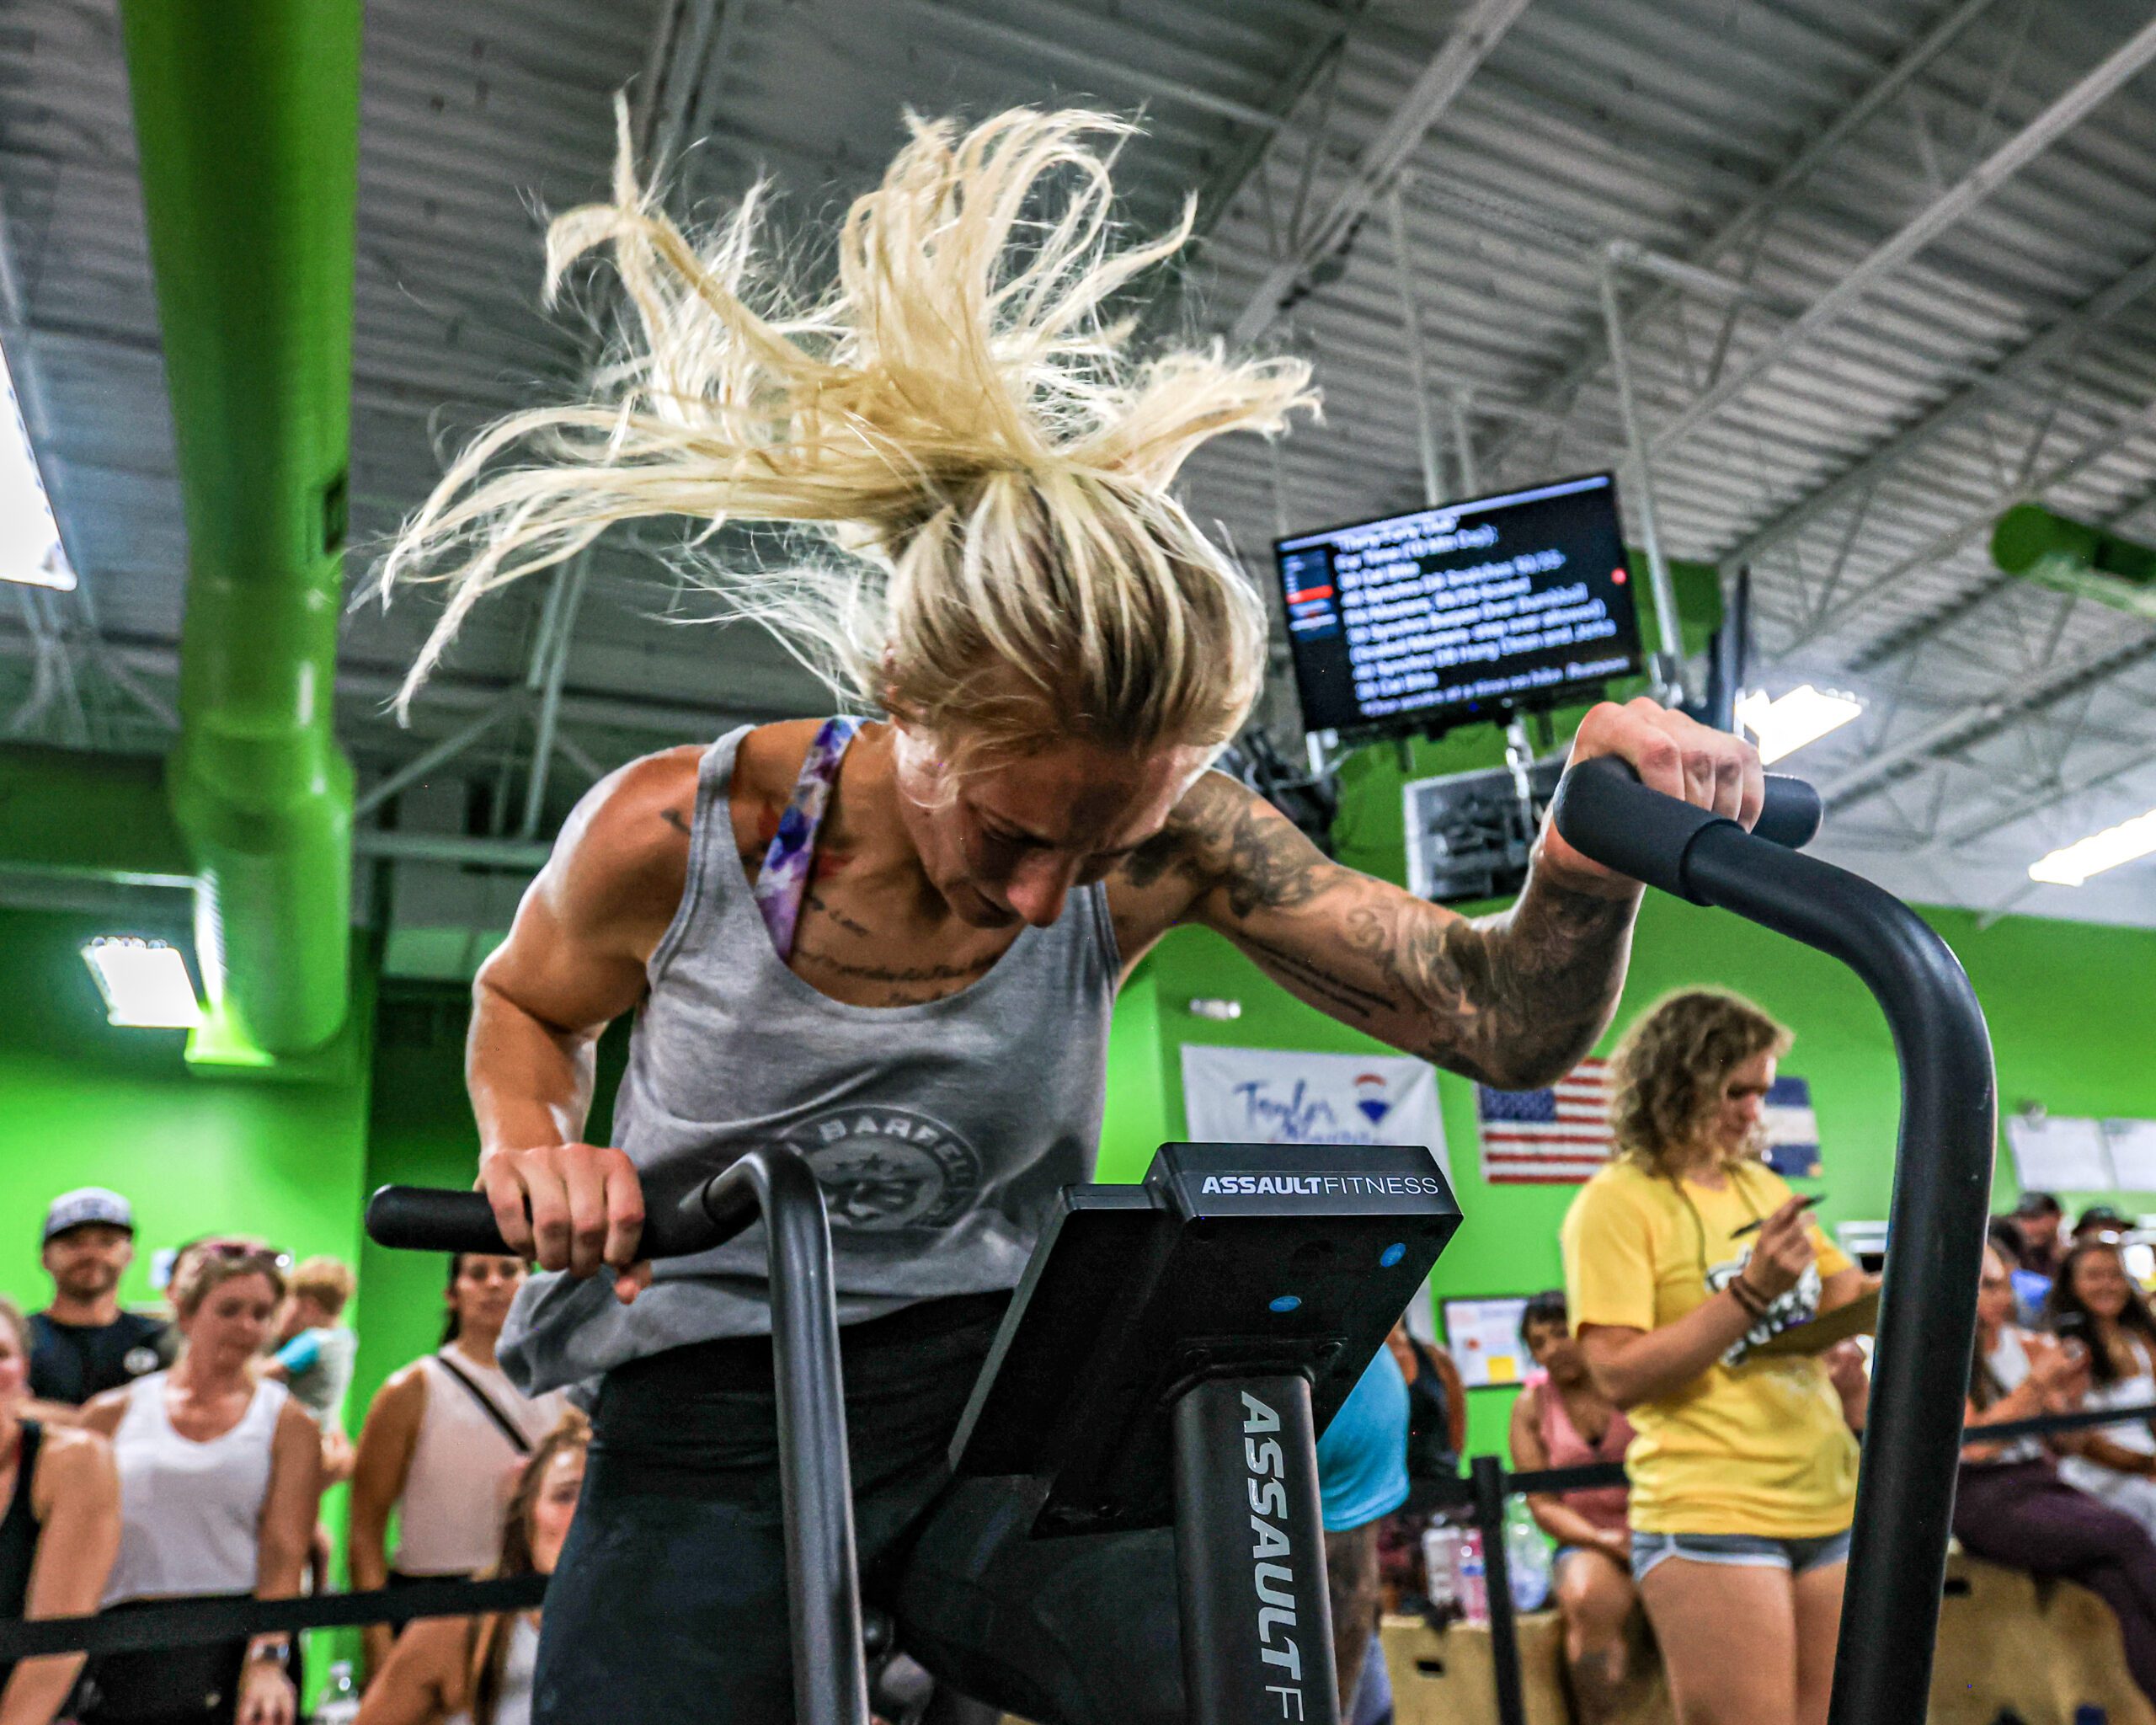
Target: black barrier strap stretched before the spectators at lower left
<point x="195" y="1623"/>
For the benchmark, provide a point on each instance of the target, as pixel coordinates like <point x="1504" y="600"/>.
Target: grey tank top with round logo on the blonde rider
<point x="941" y="1133"/>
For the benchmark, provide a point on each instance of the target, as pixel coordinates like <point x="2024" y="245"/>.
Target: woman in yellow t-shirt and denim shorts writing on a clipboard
<point x="1681" y="1258"/>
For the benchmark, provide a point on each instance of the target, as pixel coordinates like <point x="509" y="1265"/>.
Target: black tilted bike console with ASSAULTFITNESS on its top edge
<point x="1228" y="1262"/>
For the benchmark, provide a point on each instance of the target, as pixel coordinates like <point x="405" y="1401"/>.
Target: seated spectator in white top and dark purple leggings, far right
<point x="2010" y="1504"/>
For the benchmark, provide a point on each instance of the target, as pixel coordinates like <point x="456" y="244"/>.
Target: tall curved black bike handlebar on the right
<point x="1944" y="1174"/>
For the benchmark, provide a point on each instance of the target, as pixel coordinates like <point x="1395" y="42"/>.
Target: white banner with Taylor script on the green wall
<point x="1277" y="1096"/>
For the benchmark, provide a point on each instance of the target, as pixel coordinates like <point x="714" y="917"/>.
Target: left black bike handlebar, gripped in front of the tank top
<point x="831" y="1683"/>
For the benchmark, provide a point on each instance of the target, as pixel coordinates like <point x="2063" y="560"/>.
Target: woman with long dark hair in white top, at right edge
<point x="2097" y="1306"/>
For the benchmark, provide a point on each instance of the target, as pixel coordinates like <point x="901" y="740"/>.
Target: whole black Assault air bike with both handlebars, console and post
<point x="1176" y="1349"/>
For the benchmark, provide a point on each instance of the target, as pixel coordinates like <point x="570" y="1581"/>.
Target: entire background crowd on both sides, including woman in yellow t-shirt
<point x="150" y="1457"/>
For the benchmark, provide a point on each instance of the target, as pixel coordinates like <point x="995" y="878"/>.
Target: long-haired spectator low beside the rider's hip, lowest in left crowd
<point x="480" y="1670"/>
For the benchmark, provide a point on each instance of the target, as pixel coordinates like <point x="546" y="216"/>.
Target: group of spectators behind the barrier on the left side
<point x="182" y="1454"/>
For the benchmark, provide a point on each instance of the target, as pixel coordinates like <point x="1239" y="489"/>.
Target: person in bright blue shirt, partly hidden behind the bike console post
<point x="1362" y="1480"/>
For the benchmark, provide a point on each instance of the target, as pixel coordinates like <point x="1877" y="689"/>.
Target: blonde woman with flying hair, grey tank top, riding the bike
<point x="896" y="943"/>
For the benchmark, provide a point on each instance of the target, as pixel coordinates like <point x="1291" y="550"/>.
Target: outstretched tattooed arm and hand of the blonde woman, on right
<point x="1510" y="999"/>
